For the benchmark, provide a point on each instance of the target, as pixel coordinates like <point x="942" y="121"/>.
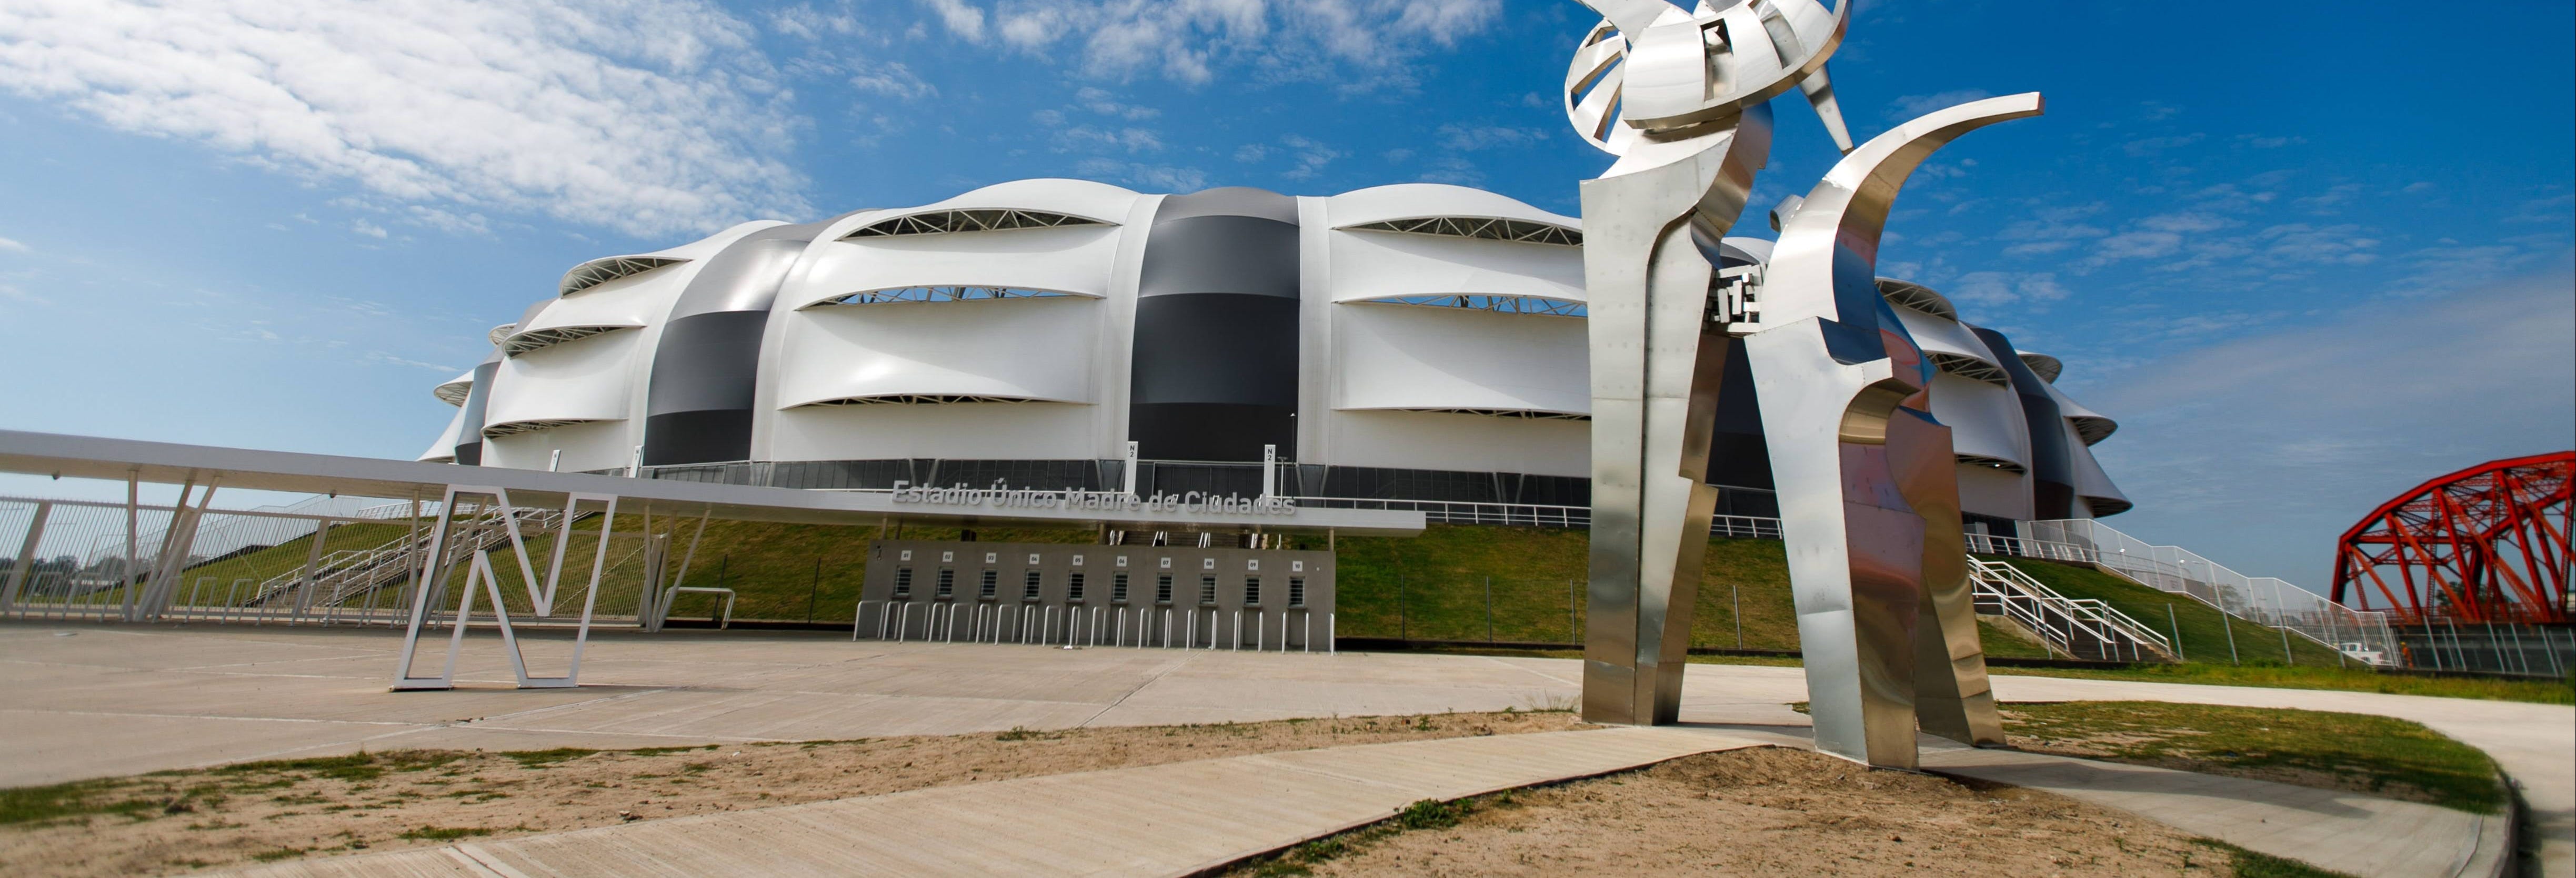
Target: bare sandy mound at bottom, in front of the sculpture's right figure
<point x="1776" y="812"/>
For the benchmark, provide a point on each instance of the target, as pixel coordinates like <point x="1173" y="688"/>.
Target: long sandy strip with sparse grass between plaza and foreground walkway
<point x="174" y="823"/>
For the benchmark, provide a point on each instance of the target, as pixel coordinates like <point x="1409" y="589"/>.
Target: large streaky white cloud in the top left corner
<point x="648" y="117"/>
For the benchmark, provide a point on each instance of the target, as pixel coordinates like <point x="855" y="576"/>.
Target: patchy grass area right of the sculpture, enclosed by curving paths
<point x="2371" y="753"/>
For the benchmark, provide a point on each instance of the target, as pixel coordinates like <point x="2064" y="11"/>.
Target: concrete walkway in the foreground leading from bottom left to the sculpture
<point x="1163" y="820"/>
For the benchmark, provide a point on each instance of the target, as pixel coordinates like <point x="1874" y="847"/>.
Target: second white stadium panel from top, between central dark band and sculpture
<point x="1392" y="264"/>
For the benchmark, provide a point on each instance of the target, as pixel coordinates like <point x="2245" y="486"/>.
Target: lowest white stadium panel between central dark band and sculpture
<point x="1462" y="442"/>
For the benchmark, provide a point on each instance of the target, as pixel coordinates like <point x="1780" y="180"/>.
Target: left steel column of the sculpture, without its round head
<point x="1658" y="364"/>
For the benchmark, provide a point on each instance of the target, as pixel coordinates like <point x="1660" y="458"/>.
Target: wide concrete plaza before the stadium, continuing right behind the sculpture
<point x="86" y="702"/>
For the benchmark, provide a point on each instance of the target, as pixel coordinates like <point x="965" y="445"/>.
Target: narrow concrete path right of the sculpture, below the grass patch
<point x="2345" y="833"/>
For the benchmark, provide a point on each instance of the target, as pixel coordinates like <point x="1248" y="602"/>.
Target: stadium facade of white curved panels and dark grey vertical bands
<point x="1403" y="344"/>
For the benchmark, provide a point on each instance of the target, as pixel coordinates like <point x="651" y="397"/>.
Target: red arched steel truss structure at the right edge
<point x="2487" y="545"/>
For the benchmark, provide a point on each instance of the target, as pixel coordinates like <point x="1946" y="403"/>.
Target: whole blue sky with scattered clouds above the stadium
<point x="2307" y="256"/>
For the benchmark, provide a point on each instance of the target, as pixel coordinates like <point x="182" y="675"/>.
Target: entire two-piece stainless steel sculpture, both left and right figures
<point x="1866" y="475"/>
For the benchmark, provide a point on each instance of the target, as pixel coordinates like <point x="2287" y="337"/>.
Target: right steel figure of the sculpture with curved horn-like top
<point x="1866" y="478"/>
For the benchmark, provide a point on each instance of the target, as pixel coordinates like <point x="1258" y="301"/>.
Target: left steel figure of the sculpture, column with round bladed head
<point x="1681" y="102"/>
